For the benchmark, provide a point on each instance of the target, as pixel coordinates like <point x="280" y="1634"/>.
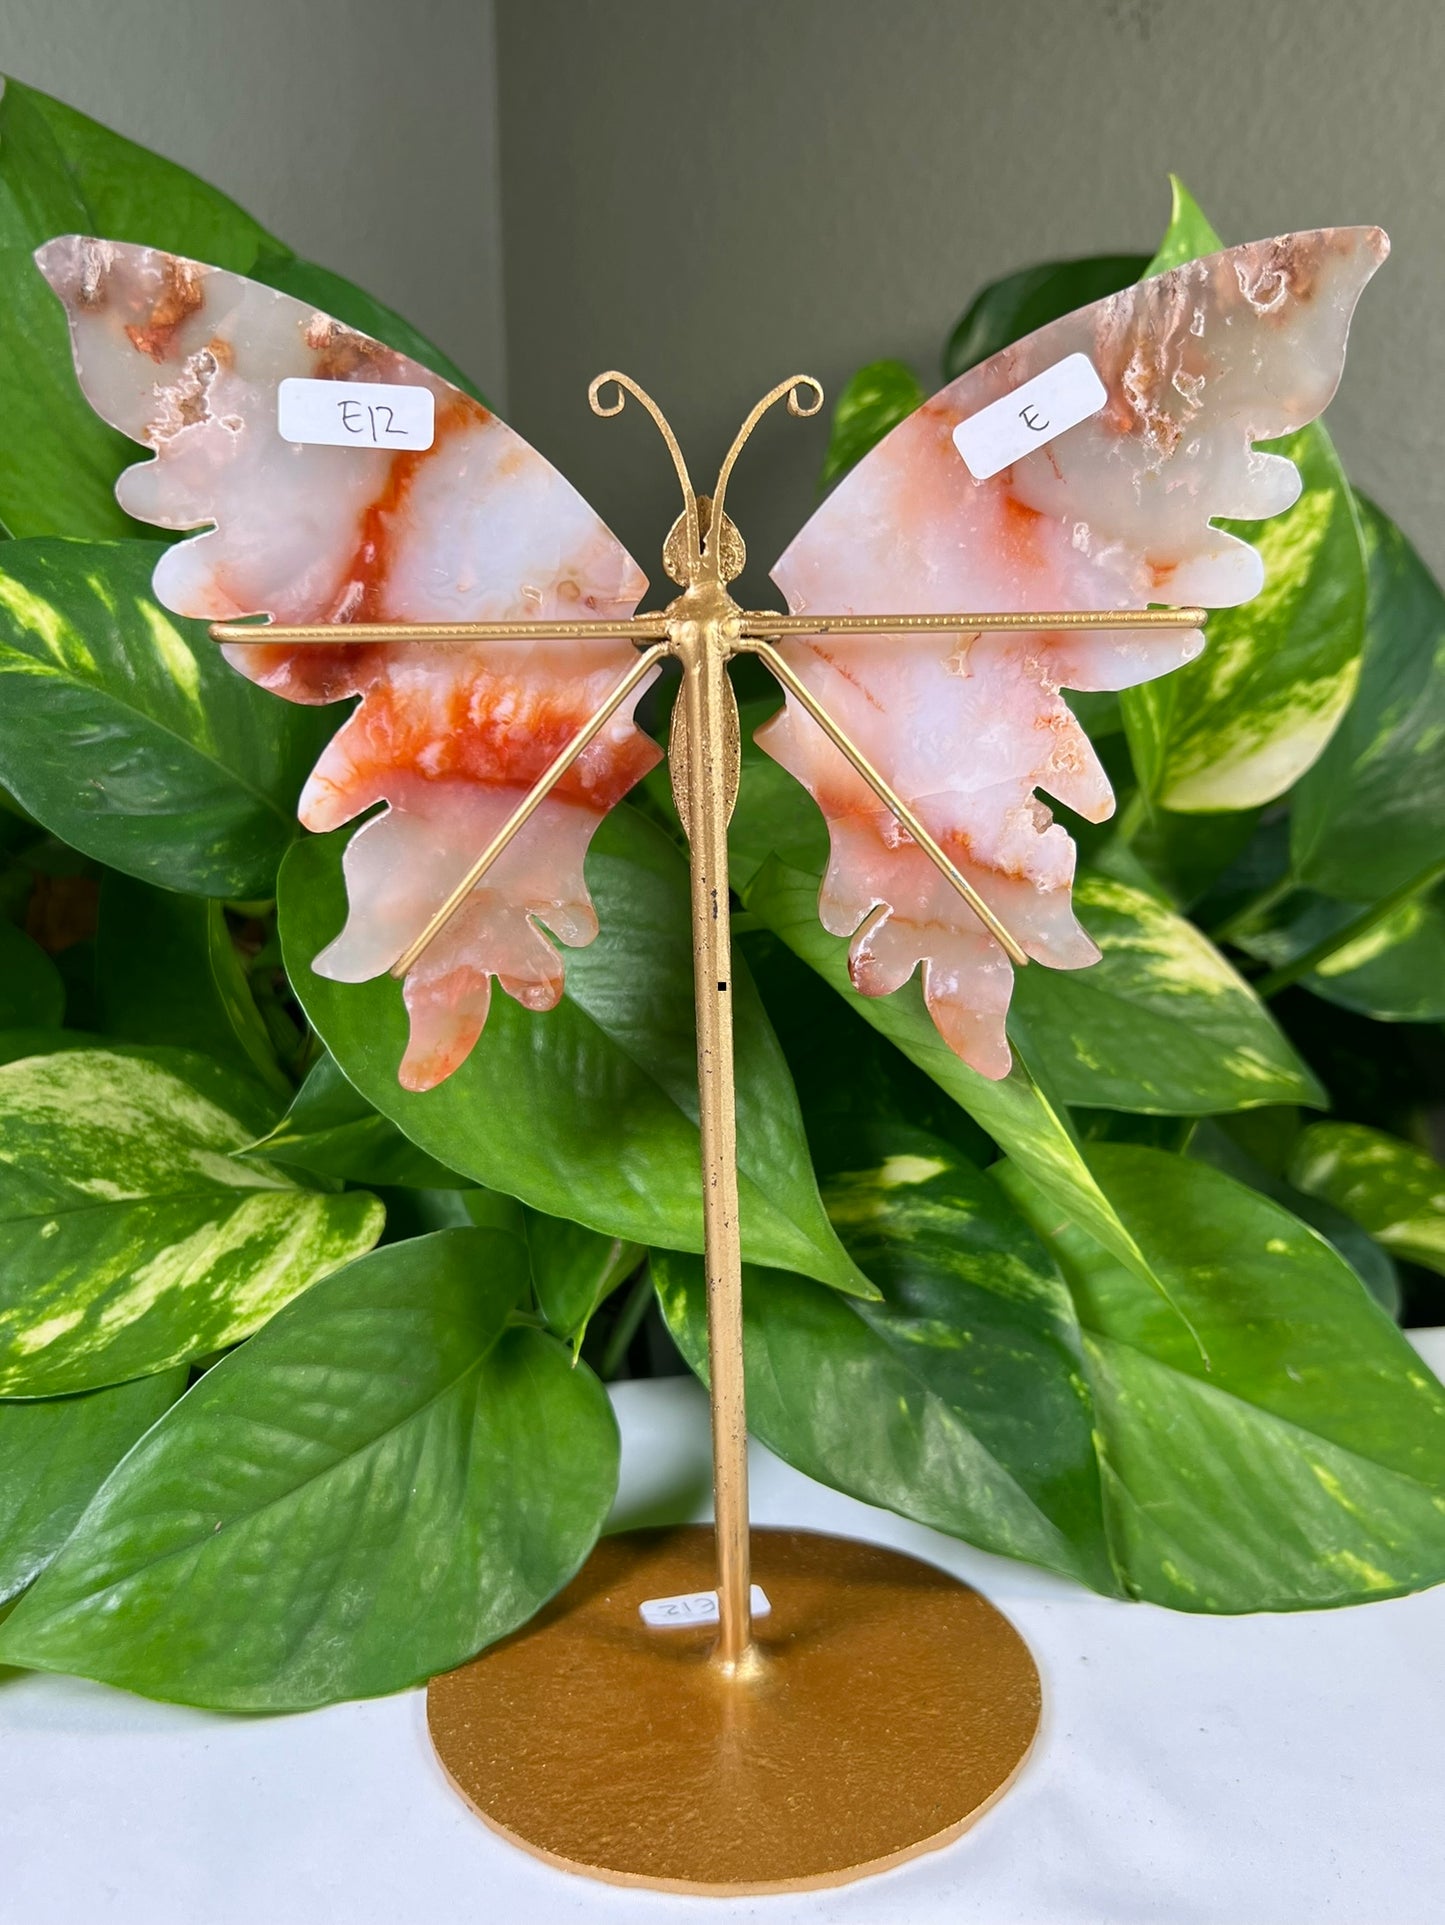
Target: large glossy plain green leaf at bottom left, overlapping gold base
<point x="380" y="1483"/>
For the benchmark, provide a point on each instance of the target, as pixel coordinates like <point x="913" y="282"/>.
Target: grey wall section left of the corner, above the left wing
<point x="361" y="132"/>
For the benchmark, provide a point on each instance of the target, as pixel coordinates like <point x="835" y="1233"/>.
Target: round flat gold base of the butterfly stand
<point x="888" y="1710"/>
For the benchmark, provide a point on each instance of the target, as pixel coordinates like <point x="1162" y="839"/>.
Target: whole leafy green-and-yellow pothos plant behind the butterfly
<point x="251" y="1460"/>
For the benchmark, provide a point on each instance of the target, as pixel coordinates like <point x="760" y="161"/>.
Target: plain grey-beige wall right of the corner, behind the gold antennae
<point x="713" y="195"/>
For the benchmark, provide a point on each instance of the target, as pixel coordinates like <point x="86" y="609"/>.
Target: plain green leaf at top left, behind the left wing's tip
<point x="66" y="174"/>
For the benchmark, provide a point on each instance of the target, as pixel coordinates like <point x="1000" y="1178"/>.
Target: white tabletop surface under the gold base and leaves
<point x="1190" y="1772"/>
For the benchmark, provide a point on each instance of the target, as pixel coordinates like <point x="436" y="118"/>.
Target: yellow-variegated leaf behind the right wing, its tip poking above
<point x="1242" y="723"/>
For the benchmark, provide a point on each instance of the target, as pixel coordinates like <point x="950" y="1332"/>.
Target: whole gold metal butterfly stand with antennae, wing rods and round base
<point x="882" y="1707"/>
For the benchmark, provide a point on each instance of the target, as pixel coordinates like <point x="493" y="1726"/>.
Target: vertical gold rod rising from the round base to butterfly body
<point x="707" y="696"/>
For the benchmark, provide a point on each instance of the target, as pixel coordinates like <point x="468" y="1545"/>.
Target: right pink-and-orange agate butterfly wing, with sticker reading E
<point x="1115" y="513"/>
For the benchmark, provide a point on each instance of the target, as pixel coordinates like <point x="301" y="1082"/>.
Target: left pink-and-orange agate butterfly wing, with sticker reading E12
<point x="476" y="528"/>
